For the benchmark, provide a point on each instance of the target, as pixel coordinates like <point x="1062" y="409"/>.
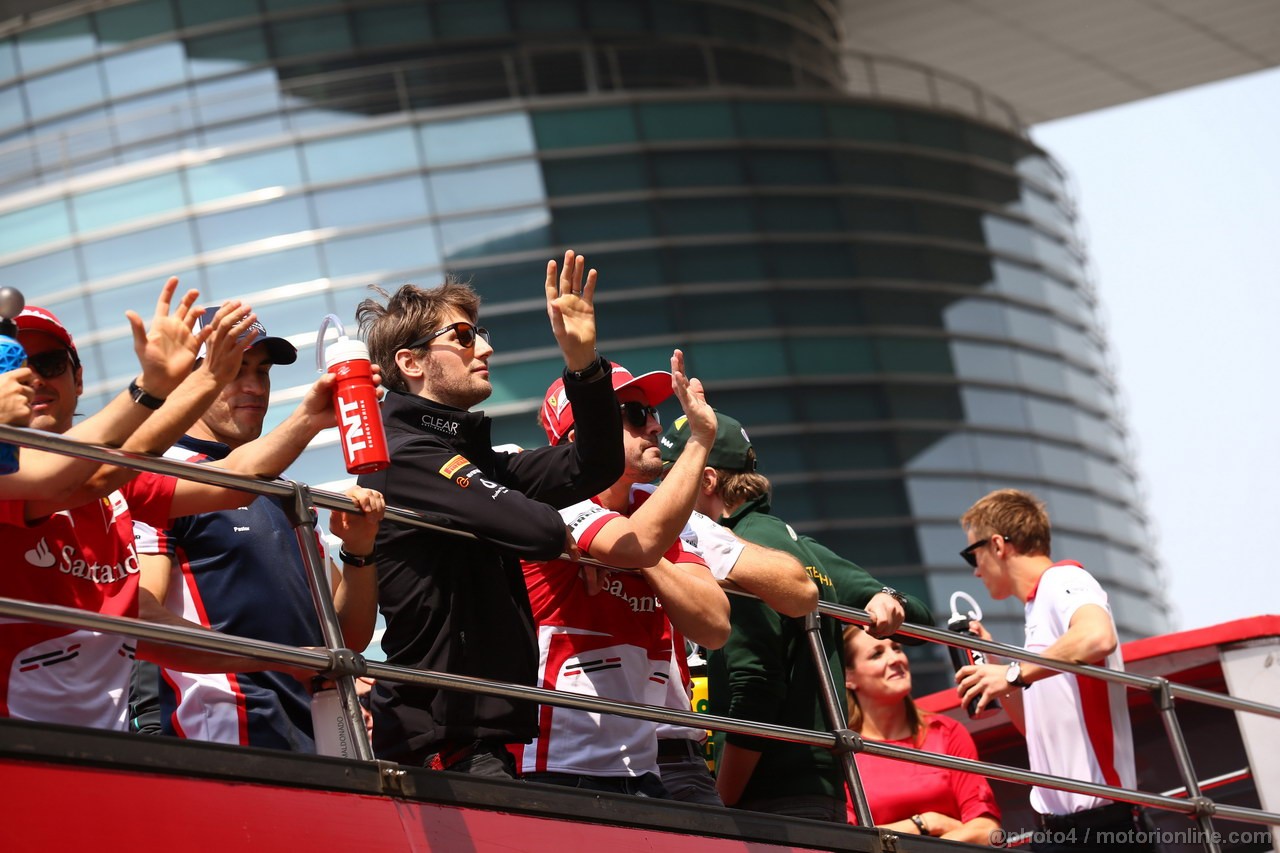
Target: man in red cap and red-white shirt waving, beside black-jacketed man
<point x="629" y="526"/>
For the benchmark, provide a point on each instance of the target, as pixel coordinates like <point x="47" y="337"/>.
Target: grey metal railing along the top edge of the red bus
<point x="344" y="664"/>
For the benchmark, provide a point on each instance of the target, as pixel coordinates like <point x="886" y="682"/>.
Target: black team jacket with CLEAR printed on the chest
<point x="458" y="605"/>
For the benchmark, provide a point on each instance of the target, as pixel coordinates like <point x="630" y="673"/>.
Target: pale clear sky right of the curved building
<point x="1181" y="211"/>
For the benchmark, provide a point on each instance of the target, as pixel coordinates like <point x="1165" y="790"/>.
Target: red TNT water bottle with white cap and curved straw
<point x="355" y="400"/>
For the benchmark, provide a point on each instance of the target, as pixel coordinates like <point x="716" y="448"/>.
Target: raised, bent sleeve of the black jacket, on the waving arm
<point x="582" y="469"/>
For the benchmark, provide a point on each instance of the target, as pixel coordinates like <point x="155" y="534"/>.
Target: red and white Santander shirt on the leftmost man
<point x="85" y="559"/>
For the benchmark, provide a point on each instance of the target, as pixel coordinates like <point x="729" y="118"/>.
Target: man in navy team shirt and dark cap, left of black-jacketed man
<point x="241" y="572"/>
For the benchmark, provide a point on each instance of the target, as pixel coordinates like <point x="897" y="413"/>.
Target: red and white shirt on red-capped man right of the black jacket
<point x="615" y="645"/>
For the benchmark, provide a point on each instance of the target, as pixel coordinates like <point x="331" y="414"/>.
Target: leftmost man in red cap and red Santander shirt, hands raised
<point x="67" y="523"/>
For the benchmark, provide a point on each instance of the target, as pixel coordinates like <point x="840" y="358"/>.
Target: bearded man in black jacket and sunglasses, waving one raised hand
<point x="460" y="605"/>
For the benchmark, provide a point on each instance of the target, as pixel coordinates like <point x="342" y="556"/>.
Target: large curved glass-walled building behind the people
<point x="889" y="295"/>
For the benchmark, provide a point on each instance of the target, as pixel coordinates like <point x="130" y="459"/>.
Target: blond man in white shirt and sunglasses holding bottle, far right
<point x="1076" y="727"/>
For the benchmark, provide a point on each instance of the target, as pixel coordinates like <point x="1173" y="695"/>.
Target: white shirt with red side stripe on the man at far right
<point x="1077" y="728"/>
